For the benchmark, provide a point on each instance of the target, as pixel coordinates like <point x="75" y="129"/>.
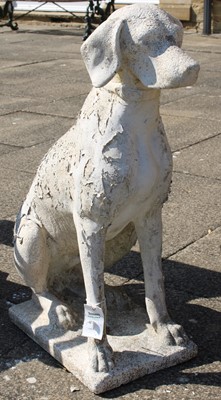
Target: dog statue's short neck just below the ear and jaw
<point x="130" y="89"/>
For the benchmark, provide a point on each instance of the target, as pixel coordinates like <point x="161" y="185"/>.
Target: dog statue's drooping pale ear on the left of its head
<point x="101" y="52"/>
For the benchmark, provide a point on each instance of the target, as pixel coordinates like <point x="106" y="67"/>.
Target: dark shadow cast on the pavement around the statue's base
<point x="191" y="293"/>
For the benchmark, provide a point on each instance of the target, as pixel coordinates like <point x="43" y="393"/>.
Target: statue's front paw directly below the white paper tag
<point x="100" y="355"/>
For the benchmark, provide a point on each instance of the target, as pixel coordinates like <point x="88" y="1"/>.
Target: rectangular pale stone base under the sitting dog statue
<point x="136" y="351"/>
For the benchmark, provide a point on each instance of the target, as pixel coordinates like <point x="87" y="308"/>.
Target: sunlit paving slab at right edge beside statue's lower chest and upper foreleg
<point x="192" y="210"/>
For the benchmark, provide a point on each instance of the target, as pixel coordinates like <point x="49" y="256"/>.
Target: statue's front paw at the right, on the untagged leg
<point x="172" y="334"/>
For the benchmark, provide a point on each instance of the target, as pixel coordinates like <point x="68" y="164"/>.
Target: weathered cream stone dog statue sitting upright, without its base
<point x="103" y="183"/>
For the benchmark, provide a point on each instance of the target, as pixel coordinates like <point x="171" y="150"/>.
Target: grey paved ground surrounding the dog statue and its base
<point x="43" y="83"/>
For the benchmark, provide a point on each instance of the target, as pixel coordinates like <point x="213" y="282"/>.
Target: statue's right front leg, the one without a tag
<point x="149" y="233"/>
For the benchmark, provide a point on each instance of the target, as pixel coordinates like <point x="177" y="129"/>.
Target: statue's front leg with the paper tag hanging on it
<point x="91" y="242"/>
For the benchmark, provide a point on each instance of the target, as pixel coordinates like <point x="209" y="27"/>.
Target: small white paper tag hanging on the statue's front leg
<point x="93" y="322"/>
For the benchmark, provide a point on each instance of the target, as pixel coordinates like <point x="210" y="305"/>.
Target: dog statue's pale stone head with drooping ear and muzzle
<point x="144" y="40"/>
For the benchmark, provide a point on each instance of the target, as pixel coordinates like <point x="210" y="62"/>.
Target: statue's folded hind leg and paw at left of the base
<point x="31" y="258"/>
